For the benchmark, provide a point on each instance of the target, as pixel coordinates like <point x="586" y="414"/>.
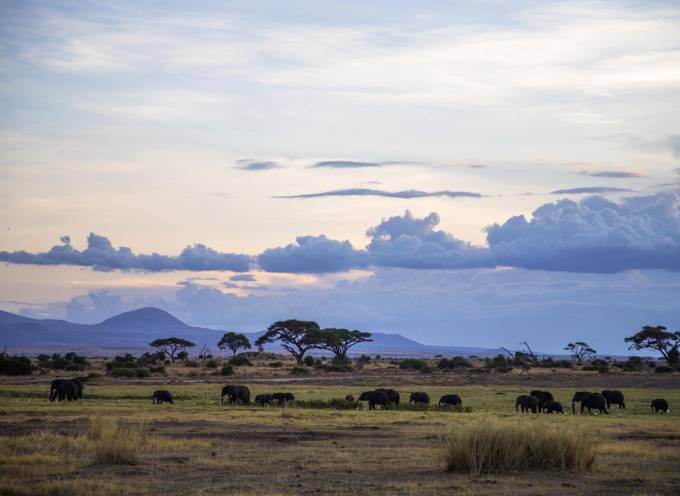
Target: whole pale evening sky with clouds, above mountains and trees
<point x="463" y="173"/>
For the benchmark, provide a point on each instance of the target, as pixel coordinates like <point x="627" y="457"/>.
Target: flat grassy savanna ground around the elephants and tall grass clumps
<point x="198" y="446"/>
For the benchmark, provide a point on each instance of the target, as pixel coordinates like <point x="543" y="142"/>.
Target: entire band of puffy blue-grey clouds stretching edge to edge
<point x="593" y="235"/>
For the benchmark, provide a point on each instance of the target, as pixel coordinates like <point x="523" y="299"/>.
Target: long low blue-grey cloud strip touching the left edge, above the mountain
<point x="101" y="255"/>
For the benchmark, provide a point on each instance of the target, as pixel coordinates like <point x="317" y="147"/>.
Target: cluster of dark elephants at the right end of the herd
<point x="543" y="401"/>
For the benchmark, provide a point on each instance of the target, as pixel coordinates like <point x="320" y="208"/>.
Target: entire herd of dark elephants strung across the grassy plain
<point x="535" y="402"/>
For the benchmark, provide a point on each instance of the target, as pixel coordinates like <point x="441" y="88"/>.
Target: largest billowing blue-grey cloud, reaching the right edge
<point x="594" y="235"/>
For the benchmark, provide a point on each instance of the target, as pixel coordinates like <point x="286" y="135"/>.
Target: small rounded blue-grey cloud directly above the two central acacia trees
<point x="312" y="254"/>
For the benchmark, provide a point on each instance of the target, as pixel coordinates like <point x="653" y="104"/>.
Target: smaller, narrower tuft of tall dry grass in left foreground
<point x="116" y="445"/>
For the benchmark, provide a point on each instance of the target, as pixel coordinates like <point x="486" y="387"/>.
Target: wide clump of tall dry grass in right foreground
<point x="492" y="445"/>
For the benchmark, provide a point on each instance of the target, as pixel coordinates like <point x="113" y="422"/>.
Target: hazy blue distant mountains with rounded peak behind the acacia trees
<point x="133" y="331"/>
